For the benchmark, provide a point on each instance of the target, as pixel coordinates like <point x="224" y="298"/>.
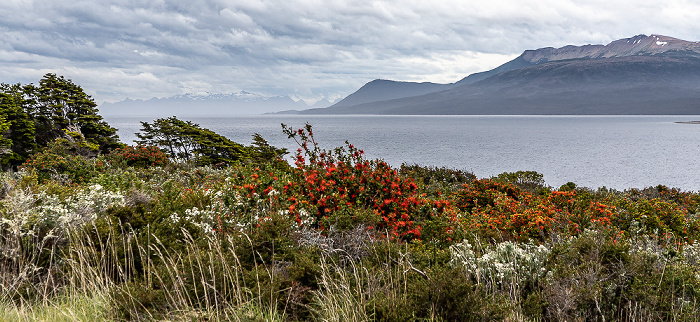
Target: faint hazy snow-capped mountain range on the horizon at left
<point x="203" y="104"/>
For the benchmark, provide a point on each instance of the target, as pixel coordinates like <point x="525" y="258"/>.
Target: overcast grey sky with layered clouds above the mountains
<point x="306" y="49"/>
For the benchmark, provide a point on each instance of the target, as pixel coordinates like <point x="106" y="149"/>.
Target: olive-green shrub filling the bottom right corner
<point x="645" y="282"/>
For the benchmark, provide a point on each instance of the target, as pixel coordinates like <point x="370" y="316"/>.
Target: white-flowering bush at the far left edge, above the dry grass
<point x="34" y="225"/>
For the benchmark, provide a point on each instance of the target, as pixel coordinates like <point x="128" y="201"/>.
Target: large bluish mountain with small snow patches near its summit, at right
<point x="639" y="75"/>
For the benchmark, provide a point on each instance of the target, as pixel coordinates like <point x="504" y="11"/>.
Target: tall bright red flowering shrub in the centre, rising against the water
<point x="329" y="181"/>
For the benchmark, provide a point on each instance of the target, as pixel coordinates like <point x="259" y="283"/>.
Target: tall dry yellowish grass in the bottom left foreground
<point x="95" y="278"/>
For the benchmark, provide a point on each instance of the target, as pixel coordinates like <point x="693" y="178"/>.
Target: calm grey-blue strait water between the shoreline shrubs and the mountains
<point x="614" y="151"/>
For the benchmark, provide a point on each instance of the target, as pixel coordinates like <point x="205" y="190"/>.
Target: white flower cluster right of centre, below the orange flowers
<point x="504" y="263"/>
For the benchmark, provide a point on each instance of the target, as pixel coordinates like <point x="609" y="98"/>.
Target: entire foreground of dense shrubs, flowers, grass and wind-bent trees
<point x="192" y="226"/>
